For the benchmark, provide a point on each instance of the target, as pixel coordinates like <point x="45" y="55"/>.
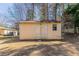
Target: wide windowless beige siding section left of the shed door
<point x="29" y="31"/>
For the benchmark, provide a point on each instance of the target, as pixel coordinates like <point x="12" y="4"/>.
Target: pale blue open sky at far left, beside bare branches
<point x="4" y="12"/>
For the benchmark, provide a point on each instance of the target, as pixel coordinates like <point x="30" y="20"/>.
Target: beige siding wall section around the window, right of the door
<point x="54" y="34"/>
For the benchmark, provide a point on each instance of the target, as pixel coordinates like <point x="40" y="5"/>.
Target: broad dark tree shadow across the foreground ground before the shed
<point x="38" y="50"/>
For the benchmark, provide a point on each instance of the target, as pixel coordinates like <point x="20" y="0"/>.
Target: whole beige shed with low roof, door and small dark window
<point x="40" y="30"/>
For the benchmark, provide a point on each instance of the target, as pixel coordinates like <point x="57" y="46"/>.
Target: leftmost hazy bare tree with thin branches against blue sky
<point x="17" y="11"/>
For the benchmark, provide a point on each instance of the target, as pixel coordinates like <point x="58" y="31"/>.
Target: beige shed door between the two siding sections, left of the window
<point x="44" y="31"/>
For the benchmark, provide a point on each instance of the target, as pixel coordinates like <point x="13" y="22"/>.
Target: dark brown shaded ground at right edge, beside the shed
<point x="72" y="39"/>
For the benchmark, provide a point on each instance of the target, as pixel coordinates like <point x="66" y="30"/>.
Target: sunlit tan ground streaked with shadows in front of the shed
<point x="13" y="47"/>
